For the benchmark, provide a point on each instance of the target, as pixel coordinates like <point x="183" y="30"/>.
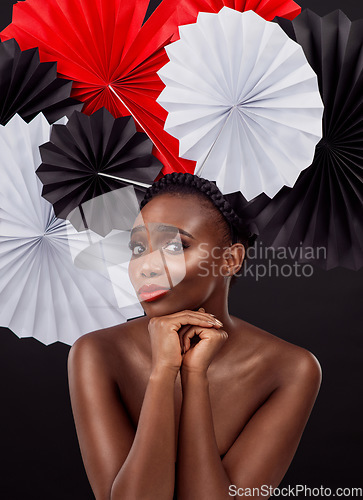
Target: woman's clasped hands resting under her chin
<point x="173" y="340"/>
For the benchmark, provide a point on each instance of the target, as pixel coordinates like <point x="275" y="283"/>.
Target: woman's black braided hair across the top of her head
<point x="186" y="183"/>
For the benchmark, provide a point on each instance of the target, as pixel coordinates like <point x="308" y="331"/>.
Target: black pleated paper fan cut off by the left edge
<point x="28" y="86"/>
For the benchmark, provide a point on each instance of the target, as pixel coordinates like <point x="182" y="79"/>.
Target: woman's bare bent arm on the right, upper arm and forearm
<point x="264" y="449"/>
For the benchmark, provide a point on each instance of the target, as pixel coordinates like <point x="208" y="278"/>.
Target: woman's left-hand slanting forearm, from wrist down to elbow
<point x="149" y="470"/>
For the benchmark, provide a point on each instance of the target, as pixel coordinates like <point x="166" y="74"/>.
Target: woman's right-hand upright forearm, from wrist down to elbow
<point x="200" y="473"/>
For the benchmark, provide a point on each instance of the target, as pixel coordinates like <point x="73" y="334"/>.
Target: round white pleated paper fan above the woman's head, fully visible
<point x="243" y="102"/>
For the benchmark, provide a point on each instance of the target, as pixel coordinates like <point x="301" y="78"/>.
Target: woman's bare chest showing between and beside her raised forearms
<point x="236" y="391"/>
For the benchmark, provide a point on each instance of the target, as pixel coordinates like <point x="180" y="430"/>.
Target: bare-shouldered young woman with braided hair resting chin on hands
<point x="188" y="400"/>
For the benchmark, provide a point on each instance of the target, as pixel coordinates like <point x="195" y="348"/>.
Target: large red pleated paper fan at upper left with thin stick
<point x="93" y="44"/>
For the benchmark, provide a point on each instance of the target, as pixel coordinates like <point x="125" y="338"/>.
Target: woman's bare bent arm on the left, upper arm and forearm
<point x="120" y="464"/>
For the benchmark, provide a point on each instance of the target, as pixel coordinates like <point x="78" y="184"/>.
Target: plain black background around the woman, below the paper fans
<point x="40" y="458"/>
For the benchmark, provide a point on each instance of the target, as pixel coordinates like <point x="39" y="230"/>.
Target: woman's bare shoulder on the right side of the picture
<point x="287" y="362"/>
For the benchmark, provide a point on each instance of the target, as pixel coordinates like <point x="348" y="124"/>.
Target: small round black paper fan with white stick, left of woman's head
<point x="92" y="155"/>
